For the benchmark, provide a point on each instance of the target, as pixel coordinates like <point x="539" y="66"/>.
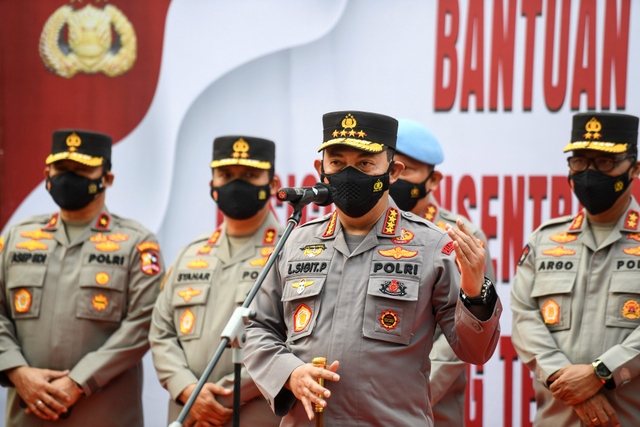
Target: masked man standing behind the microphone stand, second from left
<point x="210" y="277"/>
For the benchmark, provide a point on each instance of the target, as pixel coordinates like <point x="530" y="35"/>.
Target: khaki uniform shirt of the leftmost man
<point x="84" y="306"/>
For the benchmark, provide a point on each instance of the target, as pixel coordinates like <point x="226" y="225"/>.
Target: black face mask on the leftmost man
<point x="73" y="192"/>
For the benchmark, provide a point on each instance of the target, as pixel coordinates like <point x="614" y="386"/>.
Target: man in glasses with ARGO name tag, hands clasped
<point x="576" y="295"/>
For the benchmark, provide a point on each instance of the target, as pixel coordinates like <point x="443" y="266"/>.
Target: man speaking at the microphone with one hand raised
<point x="365" y="287"/>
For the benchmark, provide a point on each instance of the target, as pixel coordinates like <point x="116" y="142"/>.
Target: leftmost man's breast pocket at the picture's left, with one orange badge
<point x="24" y="288"/>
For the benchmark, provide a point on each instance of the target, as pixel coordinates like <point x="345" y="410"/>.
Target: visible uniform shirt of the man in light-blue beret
<point x="448" y="373"/>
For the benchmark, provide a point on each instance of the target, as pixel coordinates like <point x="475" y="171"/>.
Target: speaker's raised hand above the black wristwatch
<point x="470" y="254"/>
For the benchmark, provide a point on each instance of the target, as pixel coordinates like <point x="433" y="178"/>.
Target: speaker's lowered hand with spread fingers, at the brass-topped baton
<point x="304" y="385"/>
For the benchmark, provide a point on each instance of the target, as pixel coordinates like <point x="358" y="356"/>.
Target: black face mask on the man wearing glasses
<point x="597" y="191"/>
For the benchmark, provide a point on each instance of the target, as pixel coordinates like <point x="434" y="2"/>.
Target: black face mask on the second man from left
<point x="240" y="199"/>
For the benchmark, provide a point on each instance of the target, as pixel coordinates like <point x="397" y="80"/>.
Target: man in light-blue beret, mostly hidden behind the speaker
<point x="420" y="152"/>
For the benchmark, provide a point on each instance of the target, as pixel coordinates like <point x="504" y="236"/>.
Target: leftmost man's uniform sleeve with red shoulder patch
<point x="126" y="346"/>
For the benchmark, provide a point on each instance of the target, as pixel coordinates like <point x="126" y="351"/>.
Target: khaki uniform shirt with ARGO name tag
<point x="573" y="303"/>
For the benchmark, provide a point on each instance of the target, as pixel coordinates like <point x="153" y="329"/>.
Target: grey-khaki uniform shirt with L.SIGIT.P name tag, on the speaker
<point x="374" y="309"/>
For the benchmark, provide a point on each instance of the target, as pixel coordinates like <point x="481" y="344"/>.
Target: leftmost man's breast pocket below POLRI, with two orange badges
<point x="102" y="295"/>
